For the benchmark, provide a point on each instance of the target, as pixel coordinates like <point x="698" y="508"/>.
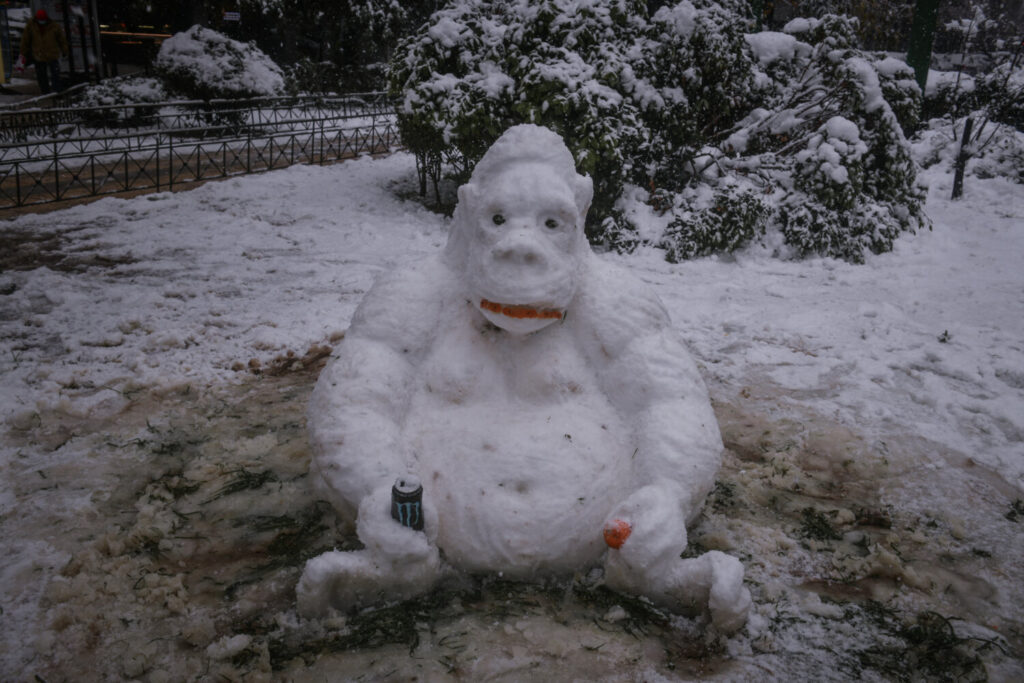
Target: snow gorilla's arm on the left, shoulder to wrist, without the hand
<point x="360" y="400"/>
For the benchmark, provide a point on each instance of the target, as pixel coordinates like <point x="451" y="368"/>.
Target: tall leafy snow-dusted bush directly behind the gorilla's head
<point x="483" y="66"/>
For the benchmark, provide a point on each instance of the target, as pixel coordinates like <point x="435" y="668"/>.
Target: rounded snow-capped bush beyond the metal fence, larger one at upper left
<point x="202" y="64"/>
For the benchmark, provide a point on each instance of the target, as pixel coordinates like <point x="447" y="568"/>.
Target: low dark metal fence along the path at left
<point x="66" y="154"/>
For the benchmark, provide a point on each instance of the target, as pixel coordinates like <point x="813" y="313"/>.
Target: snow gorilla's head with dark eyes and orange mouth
<point x="519" y="230"/>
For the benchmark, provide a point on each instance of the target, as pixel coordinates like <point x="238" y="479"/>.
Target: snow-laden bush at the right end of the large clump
<point x="854" y="187"/>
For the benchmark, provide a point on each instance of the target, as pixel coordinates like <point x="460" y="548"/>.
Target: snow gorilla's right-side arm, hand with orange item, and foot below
<point x="651" y="378"/>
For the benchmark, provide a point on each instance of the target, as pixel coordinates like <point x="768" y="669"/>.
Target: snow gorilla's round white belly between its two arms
<point x="520" y="488"/>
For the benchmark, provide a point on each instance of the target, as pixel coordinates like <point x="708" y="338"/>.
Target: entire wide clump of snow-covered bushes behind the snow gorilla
<point x="677" y="102"/>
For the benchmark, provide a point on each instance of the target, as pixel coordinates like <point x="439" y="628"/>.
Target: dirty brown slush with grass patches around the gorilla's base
<point x="195" y="517"/>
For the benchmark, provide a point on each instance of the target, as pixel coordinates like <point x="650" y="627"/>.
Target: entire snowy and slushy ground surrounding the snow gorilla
<point x="157" y="355"/>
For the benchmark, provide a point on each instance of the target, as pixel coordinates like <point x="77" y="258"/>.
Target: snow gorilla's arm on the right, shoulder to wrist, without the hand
<point x="651" y="378"/>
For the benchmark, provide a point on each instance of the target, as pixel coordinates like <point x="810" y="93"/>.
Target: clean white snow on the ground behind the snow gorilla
<point x="170" y="290"/>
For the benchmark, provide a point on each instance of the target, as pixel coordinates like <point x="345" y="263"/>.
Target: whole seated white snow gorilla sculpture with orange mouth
<point x="540" y="396"/>
